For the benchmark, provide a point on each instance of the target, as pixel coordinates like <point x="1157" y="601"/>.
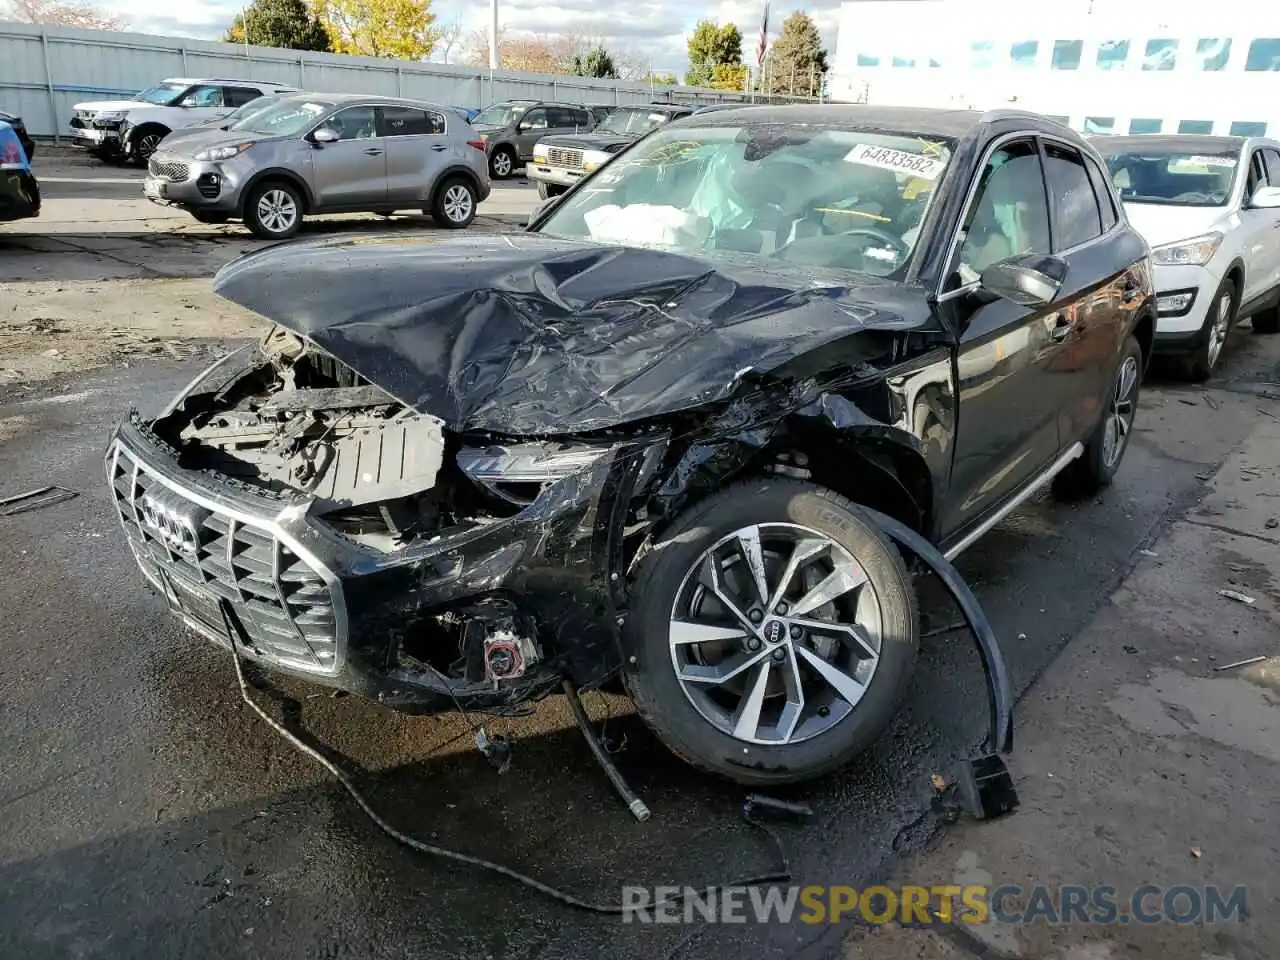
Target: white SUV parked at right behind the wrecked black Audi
<point x="1210" y="209"/>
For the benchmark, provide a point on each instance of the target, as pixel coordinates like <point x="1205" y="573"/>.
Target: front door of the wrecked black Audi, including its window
<point x="1009" y="392"/>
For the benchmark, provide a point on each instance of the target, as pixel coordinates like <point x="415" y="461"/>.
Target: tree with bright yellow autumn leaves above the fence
<point x="404" y="30"/>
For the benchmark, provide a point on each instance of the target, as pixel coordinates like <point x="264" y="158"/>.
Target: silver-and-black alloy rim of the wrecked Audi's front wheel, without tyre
<point x="775" y="634"/>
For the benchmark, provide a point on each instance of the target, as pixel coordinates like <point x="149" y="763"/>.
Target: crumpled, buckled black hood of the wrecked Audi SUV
<point x="533" y="336"/>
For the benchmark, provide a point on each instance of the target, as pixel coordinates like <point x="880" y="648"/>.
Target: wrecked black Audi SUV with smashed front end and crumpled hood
<point x="642" y="437"/>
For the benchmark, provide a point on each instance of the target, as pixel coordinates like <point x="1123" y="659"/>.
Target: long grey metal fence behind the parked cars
<point x="47" y="71"/>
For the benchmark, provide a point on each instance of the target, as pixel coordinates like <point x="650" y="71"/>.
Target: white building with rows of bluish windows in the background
<point x="1101" y="66"/>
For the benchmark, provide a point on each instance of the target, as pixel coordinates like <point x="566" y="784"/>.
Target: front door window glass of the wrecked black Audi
<point x="1009" y="214"/>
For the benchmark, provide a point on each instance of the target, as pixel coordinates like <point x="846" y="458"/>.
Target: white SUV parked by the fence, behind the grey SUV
<point x="132" y="129"/>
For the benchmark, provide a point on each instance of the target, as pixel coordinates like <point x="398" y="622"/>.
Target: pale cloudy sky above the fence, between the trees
<point x="653" y="29"/>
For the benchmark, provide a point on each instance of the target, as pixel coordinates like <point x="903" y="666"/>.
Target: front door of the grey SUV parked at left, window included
<point x="351" y="173"/>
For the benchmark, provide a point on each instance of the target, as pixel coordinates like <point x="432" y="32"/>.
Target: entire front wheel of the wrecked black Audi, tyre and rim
<point x="775" y="629"/>
